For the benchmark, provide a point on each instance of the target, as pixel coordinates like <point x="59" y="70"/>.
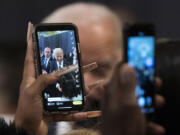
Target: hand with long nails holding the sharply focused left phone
<point x="29" y="113"/>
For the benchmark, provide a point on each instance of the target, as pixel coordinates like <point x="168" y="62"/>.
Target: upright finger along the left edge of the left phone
<point x="29" y="69"/>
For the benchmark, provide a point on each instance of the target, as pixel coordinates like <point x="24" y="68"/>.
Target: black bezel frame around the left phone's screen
<point x="54" y="27"/>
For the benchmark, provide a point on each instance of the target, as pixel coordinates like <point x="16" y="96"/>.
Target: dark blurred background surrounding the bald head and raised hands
<point x="14" y="16"/>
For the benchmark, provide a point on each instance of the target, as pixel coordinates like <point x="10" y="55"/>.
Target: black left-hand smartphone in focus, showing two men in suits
<point x="56" y="45"/>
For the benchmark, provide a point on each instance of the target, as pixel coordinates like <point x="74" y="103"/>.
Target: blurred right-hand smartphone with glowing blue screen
<point x="139" y="53"/>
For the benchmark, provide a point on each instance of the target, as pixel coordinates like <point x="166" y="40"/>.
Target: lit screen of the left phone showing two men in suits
<point x="57" y="49"/>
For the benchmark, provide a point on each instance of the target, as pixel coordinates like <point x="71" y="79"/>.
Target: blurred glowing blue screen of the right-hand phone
<point x="141" y="57"/>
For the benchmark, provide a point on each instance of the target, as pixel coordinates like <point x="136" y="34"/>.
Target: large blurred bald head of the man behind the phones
<point x="100" y="34"/>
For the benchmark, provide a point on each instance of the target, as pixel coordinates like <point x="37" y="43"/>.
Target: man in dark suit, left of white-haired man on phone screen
<point x="46" y="60"/>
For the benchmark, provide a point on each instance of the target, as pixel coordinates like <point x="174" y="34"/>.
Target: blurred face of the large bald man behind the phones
<point x="99" y="44"/>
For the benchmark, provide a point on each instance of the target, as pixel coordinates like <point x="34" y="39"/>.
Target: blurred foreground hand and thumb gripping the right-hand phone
<point x="121" y="114"/>
